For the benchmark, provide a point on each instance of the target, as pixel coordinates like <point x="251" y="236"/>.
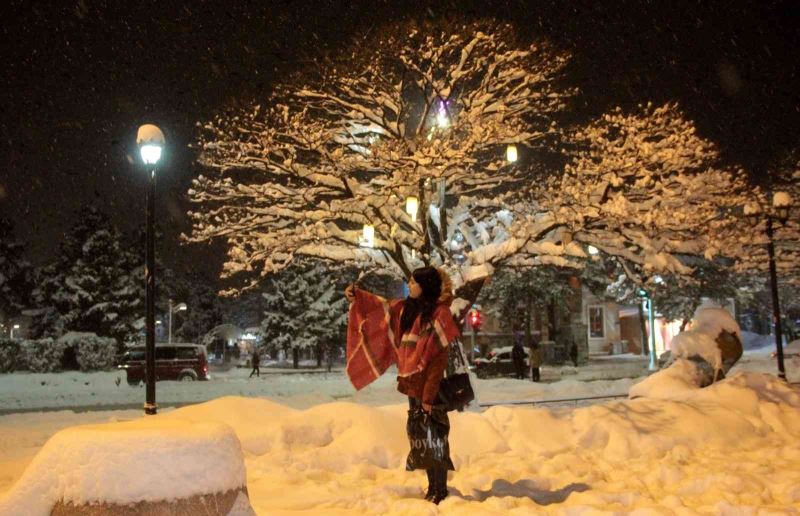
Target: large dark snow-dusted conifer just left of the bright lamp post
<point x="94" y="286"/>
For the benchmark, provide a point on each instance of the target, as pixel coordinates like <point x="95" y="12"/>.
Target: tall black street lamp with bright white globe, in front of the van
<point x="150" y="141"/>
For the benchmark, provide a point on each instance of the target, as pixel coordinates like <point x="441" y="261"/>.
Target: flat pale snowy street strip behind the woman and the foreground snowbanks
<point x="25" y="390"/>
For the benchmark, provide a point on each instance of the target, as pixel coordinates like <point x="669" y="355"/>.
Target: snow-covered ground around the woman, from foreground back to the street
<point x="713" y="452"/>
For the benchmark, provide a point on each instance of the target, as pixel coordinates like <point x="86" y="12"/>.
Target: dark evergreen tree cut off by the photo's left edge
<point x="15" y="274"/>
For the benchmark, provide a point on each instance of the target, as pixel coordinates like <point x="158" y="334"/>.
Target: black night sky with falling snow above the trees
<point x="80" y="77"/>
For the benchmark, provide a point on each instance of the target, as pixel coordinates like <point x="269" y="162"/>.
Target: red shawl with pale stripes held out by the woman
<point x="374" y="342"/>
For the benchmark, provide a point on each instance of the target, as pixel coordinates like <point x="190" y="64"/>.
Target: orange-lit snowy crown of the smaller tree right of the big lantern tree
<point x="646" y="189"/>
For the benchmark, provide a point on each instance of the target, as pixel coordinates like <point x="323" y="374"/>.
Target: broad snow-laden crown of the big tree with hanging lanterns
<point x="406" y="112"/>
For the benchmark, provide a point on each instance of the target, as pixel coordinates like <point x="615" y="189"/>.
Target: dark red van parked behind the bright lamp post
<point x="183" y="362"/>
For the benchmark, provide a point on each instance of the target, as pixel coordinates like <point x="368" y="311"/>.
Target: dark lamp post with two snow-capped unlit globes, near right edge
<point x="781" y="204"/>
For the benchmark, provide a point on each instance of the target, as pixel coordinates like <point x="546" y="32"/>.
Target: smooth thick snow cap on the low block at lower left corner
<point x="149" y="459"/>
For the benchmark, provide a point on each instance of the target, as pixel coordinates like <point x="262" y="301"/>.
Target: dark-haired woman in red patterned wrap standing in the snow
<point x="415" y="334"/>
